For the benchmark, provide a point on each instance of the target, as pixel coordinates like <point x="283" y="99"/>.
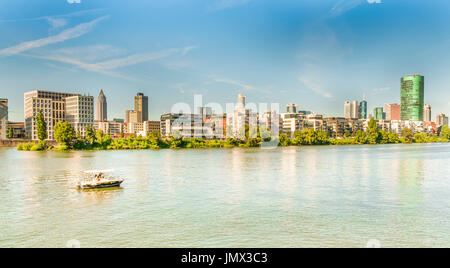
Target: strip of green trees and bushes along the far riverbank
<point x="97" y="140"/>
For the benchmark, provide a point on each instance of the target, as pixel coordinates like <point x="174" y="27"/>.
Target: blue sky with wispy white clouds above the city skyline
<point x="314" y="53"/>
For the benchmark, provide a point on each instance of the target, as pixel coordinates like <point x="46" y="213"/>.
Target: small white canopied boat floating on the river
<point x="96" y="179"/>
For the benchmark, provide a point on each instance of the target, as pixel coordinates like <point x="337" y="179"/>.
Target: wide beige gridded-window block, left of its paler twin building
<point x="52" y="105"/>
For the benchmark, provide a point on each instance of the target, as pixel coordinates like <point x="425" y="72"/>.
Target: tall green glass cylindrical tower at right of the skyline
<point x="412" y="97"/>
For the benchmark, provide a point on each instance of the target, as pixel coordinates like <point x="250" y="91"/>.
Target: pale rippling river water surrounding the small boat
<point x="320" y="196"/>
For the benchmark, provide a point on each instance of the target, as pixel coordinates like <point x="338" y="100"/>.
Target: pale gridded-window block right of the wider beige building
<point x="80" y="113"/>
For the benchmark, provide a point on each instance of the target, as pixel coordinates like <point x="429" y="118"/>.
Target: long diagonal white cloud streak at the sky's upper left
<point x="67" y="34"/>
